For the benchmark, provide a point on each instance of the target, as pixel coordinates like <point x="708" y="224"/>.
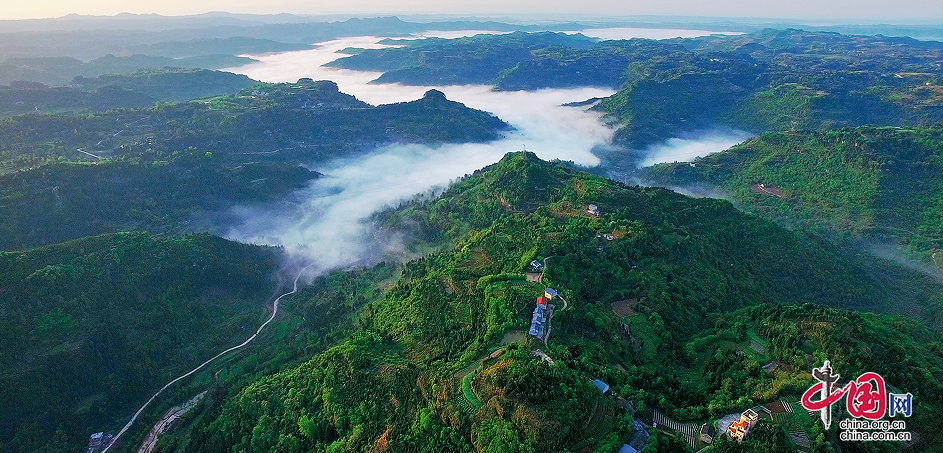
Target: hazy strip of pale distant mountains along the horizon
<point x="154" y="22"/>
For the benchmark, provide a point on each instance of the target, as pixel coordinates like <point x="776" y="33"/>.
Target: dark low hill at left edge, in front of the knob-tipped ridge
<point x="157" y="192"/>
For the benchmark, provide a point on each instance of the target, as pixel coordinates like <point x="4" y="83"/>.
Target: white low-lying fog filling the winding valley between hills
<point x="325" y="224"/>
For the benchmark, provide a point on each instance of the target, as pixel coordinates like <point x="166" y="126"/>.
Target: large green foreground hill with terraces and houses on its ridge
<point x="704" y="296"/>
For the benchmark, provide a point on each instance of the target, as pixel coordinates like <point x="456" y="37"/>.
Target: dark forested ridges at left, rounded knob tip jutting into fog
<point x="177" y="168"/>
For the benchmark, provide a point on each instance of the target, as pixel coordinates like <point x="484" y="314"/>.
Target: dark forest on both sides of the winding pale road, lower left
<point x="95" y="325"/>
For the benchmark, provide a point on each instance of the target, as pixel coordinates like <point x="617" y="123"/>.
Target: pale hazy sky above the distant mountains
<point x="864" y="10"/>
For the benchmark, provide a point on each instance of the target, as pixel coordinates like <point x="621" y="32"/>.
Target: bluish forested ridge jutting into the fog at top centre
<point x="514" y="61"/>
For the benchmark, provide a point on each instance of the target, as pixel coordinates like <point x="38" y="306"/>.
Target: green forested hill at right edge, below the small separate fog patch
<point x="874" y="183"/>
